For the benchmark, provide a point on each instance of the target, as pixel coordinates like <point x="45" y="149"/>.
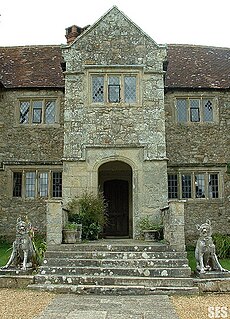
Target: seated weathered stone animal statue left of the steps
<point x="23" y="254"/>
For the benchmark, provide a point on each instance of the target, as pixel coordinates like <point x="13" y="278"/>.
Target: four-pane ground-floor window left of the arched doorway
<point x="36" y="183"/>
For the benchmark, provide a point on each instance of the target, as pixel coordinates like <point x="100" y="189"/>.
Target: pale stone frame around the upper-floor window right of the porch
<point x="201" y="98"/>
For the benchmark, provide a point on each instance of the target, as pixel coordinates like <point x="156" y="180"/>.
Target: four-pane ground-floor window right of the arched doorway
<point x="192" y="185"/>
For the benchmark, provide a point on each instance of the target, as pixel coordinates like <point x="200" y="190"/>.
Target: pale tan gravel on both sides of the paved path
<point x="26" y="304"/>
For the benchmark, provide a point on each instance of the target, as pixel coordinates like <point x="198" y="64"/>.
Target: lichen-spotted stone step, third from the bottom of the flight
<point x="117" y="271"/>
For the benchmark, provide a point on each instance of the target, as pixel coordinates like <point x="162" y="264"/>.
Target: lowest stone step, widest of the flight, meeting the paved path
<point x="114" y="290"/>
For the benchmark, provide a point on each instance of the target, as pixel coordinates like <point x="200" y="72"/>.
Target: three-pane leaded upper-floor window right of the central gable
<point x="194" y="110"/>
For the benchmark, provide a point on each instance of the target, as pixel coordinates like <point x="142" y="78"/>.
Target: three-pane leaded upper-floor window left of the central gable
<point x="37" y="111"/>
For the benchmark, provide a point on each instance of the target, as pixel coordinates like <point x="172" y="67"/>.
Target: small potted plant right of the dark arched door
<point x="150" y="230"/>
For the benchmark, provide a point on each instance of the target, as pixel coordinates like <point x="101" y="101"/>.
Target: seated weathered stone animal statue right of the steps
<point x="205" y="253"/>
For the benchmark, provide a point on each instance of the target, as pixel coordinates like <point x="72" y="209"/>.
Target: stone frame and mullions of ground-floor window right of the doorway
<point x="193" y="172"/>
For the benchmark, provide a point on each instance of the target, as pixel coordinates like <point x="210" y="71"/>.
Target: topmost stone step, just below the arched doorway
<point x="140" y="246"/>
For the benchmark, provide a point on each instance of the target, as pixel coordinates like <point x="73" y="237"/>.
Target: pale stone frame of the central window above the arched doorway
<point x="107" y="71"/>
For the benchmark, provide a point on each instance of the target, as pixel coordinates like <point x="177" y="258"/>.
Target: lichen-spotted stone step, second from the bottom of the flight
<point x="114" y="280"/>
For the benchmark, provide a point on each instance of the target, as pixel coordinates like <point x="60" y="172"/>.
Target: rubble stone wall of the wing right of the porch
<point x="203" y="146"/>
